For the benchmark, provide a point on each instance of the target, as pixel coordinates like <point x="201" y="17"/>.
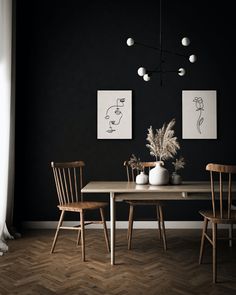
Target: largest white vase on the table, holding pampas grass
<point x="158" y="175"/>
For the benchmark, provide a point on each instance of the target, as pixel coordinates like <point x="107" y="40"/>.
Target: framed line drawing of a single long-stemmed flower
<point x="199" y="114"/>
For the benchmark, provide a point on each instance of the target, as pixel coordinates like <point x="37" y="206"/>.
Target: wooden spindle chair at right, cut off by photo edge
<point x="221" y="212"/>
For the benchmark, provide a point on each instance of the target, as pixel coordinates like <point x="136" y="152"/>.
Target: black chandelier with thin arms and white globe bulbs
<point x="146" y="74"/>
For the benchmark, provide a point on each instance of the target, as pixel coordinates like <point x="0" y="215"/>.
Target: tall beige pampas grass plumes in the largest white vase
<point x="162" y="143"/>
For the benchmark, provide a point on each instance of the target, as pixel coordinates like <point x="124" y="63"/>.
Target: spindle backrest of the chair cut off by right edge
<point x="224" y="182"/>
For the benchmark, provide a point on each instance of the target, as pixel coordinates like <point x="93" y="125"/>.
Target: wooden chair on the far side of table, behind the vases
<point x="131" y="175"/>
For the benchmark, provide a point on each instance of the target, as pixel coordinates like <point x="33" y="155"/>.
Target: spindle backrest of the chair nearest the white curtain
<point x="68" y="180"/>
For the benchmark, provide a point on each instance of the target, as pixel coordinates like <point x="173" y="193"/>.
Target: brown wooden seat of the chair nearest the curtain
<point x="79" y="206"/>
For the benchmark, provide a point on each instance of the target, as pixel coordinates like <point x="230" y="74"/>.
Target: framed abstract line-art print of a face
<point x="114" y="114"/>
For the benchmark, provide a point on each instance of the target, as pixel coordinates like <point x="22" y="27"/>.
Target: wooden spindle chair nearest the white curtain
<point x="68" y="178"/>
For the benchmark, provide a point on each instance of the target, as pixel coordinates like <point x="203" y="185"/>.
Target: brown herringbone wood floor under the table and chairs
<point x="29" y="269"/>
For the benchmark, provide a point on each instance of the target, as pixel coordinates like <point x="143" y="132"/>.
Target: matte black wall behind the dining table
<point x="67" y="51"/>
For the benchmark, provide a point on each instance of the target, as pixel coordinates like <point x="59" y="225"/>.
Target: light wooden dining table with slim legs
<point x="123" y="190"/>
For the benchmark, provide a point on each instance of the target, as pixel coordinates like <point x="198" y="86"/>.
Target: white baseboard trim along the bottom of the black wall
<point x="120" y="225"/>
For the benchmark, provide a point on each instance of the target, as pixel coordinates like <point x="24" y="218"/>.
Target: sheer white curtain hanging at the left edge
<point x="5" y="114"/>
